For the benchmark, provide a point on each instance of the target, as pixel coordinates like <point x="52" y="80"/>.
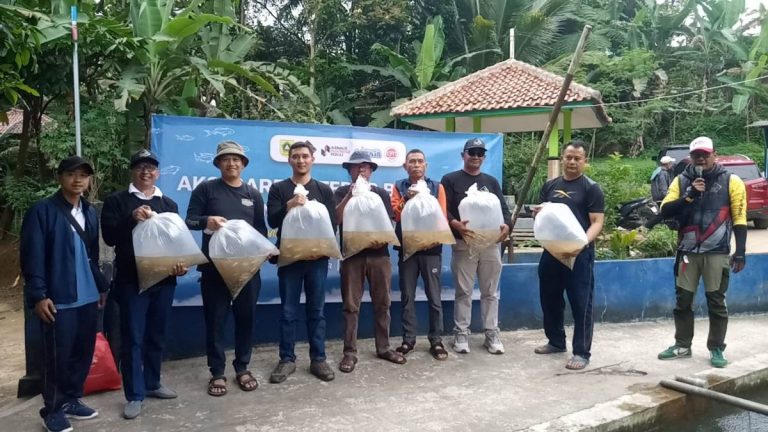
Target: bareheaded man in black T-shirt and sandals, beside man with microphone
<point x="585" y="199"/>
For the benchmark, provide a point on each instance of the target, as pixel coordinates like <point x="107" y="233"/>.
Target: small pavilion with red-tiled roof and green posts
<point x="510" y="96"/>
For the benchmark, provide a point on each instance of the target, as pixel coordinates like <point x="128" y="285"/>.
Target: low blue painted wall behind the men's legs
<point x="629" y="290"/>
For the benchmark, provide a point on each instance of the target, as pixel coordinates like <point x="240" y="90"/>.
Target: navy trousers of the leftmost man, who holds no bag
<point x="68" y="345"/>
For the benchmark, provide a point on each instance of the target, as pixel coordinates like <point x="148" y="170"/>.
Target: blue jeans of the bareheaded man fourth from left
<point x="311" y="275"/>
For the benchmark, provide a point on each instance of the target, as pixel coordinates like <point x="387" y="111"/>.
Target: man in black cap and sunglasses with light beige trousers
<point x="486" y="265"/>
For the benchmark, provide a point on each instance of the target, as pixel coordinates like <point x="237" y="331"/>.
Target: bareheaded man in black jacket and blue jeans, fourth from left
<point x="309" y="274"/>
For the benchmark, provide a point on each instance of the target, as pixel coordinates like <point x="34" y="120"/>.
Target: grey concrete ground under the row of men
<point x="478" y="391"/>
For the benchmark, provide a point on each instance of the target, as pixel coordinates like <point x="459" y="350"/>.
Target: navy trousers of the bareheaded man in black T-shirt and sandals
<point x="579" y="284"/>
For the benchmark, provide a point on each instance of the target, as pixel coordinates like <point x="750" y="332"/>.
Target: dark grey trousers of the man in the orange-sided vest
<point x="428" y="267"/>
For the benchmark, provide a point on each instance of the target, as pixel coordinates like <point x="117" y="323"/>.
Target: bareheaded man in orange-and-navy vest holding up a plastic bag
<point x="417" y="190"/>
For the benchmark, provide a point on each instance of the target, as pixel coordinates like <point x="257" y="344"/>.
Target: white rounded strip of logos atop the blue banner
<point x="335" y="151"/>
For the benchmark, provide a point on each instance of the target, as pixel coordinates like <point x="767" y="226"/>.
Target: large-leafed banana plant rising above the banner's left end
<point x="166" y="76"/>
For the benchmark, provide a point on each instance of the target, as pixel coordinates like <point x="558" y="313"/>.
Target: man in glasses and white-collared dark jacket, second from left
<point x="143" y="317"/>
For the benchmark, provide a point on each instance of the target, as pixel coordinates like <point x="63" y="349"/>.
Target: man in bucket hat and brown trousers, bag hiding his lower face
<point x="372" y="263"/>
